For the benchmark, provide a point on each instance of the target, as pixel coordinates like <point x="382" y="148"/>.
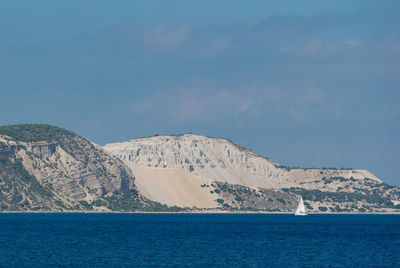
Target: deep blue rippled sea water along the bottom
<point x="199" y="240"/>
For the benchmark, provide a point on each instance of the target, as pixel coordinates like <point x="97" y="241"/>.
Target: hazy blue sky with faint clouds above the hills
<point x="304" y="83"/>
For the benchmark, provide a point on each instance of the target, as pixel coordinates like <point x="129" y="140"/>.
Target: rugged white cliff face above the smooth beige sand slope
<point x="220" y="160"/>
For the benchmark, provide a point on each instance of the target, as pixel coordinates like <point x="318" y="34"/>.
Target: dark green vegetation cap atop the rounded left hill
<point x="35" y="132"/>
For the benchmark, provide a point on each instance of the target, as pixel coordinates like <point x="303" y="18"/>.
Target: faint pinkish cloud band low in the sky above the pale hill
<point x="209" y="103"/>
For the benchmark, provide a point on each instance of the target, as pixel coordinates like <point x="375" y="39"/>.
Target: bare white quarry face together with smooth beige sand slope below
<point x="172" y="169"/>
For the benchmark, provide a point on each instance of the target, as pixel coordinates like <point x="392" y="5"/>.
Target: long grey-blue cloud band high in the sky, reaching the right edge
<point x="329" y="36"/>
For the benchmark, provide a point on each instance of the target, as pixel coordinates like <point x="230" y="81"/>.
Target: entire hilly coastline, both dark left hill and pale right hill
<point x="46" y="168"/>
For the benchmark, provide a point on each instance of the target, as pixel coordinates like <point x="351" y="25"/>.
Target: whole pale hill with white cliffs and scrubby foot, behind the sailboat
<point x="239" y="179"/>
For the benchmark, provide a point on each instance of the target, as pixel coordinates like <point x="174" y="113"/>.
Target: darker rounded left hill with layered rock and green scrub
<point x="47" y="168"/>
